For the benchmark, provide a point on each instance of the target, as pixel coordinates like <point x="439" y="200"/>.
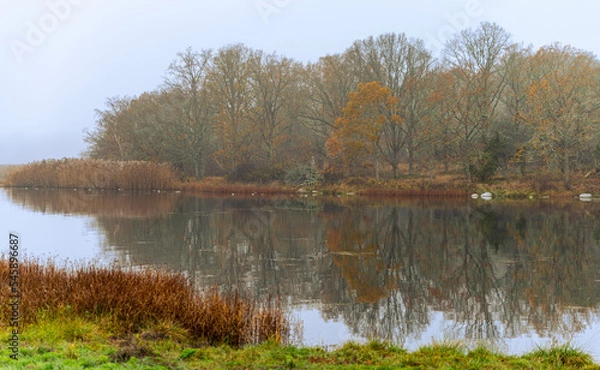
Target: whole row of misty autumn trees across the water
<point x="386" y="103"/>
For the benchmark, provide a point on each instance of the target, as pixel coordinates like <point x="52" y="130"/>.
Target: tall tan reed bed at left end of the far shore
<point x="94" y="174"/>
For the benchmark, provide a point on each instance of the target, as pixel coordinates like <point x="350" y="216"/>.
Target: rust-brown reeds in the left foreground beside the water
<point x="134" y="299"/>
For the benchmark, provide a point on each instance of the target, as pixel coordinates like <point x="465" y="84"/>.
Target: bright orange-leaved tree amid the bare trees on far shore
<point x="369" y="130"/>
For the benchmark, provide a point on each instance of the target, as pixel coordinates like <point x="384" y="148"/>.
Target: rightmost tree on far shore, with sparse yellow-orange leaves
<point x="563" y="103"/>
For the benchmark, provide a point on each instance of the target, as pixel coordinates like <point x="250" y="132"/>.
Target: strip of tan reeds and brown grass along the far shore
<point x="91" y="174"/>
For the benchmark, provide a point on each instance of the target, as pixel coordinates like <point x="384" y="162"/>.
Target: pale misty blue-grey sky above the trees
<point x="60" y="60"/>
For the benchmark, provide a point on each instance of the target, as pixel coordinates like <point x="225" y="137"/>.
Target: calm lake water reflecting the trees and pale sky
<point x="515" y="275"/>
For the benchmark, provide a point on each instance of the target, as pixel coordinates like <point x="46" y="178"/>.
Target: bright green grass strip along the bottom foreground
<point x="74" y="342"/>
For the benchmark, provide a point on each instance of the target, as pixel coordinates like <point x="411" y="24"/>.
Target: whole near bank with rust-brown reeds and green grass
<point x="110" y="318"/>
